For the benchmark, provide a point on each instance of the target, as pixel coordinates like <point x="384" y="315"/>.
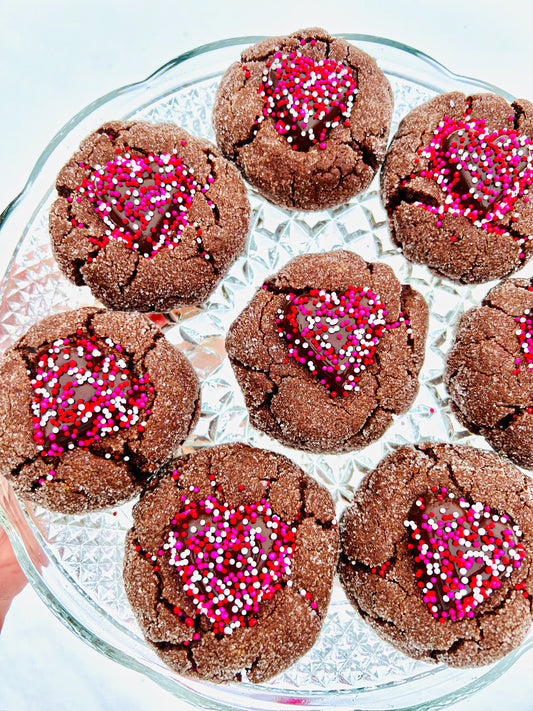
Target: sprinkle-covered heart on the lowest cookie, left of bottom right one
<point x="229" y="560"/>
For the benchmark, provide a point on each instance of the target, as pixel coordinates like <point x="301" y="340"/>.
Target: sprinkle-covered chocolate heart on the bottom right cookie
<point x="462" y="552"/>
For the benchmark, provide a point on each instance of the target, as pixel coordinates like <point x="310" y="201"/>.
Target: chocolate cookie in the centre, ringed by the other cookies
<point x="328" y="350"/>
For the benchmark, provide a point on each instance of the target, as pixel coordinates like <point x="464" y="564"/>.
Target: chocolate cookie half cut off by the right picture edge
<point x="489" y="370"/>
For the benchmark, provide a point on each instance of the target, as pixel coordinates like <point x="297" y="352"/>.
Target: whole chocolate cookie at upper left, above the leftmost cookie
<point x="148" y="217"/>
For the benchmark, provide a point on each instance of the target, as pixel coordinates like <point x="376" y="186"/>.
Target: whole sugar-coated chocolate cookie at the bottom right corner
<point x="436" y="553"/>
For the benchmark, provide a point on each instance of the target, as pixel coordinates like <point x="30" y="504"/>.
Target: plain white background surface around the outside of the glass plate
<point x="55" y="58"/>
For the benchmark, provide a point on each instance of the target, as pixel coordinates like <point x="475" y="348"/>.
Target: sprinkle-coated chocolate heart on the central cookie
<point x="335" y="335"/>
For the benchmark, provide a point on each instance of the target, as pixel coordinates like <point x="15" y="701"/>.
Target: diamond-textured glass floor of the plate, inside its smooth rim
<point x="88" y="549"/>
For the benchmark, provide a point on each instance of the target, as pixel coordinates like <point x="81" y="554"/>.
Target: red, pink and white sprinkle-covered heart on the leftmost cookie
<point x="84" y="391"/>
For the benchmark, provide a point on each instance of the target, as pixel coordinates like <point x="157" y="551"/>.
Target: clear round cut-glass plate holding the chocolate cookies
<point x="75" y="562"/>
